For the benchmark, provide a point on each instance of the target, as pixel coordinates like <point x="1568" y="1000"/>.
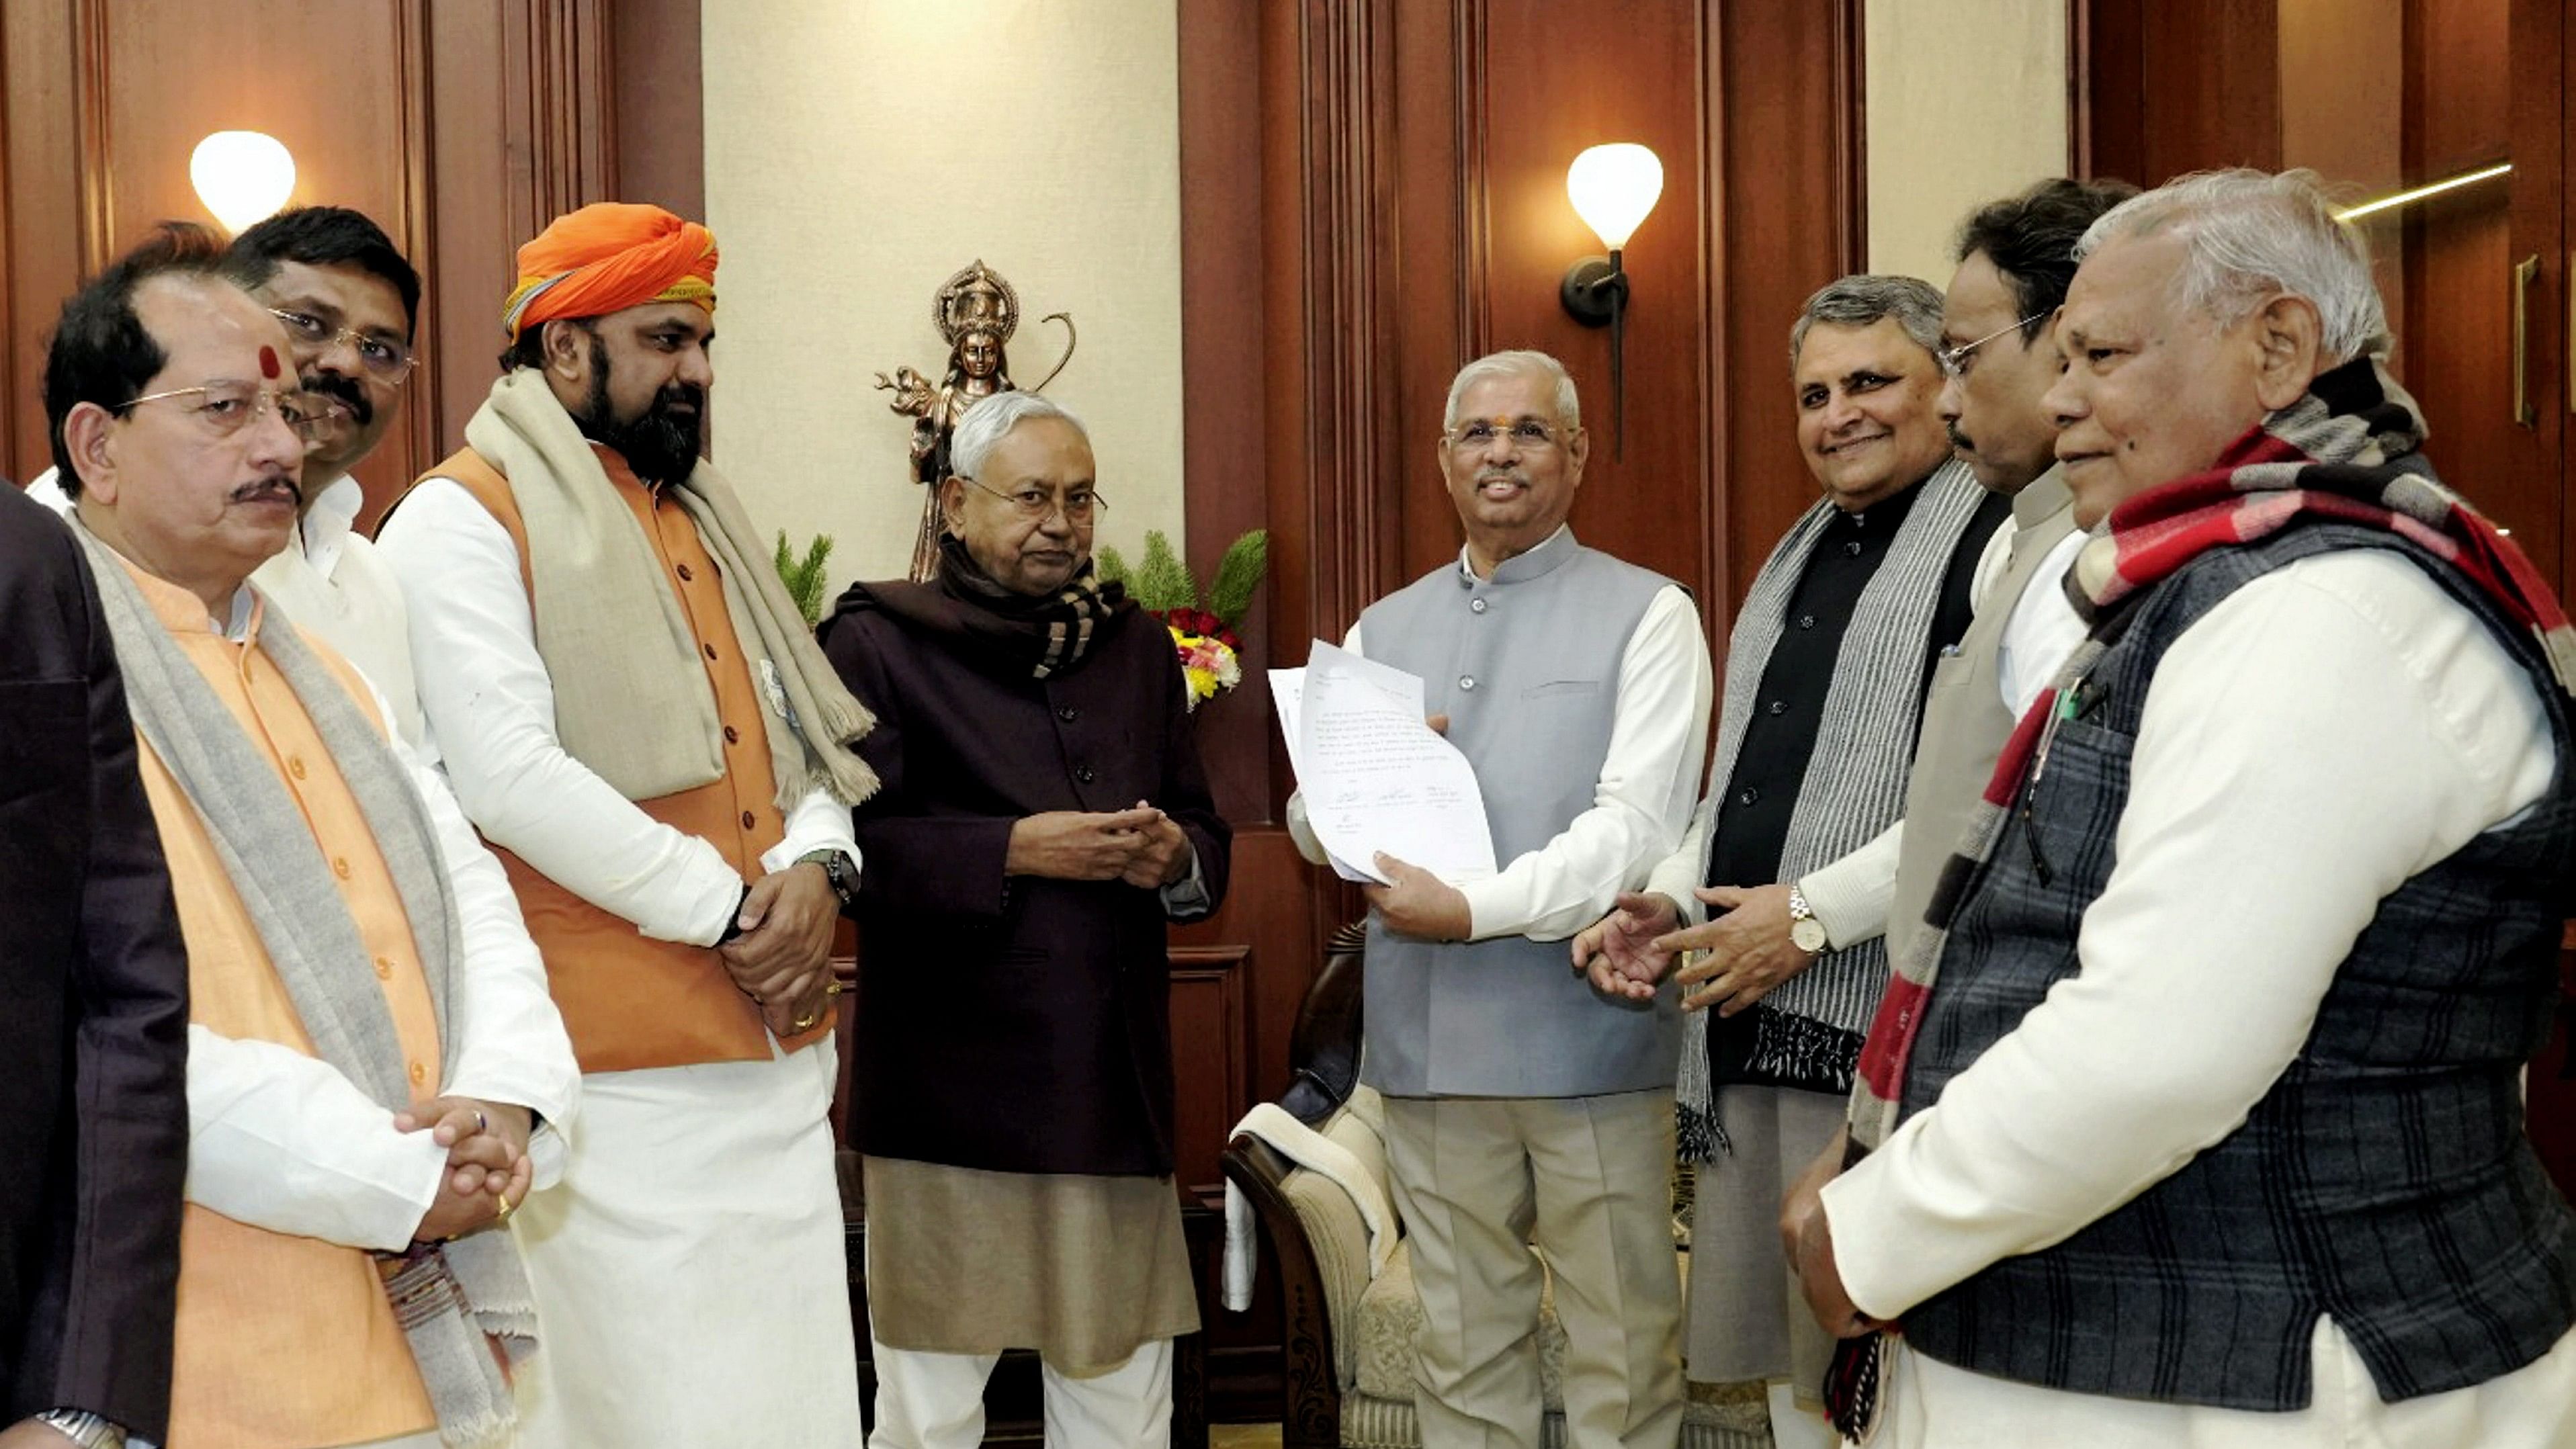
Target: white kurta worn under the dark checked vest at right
<point x="2309" y="745"/>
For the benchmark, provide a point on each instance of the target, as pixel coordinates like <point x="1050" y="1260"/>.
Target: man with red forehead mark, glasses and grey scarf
<point x="375" y="1069"/>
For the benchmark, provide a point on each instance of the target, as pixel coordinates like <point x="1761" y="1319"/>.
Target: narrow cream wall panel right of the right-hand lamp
<point x="1967" y="102"/>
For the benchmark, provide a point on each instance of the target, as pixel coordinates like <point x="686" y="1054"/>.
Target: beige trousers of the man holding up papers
<point x="1588" y="1180"/>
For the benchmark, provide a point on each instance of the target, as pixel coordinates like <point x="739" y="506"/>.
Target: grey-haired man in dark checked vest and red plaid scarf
<point x="2196" y="1108"/>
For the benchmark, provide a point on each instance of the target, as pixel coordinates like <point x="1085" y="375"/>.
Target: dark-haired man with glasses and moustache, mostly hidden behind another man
<point x="349" y="305"/>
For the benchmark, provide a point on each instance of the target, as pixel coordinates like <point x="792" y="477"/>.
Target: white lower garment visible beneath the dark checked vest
<point x="1941" y="1407"/>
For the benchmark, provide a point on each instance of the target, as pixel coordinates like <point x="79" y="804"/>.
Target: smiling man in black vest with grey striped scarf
<point x="1828" y="676"/>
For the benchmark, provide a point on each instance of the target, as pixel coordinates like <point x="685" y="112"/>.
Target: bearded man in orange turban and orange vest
<point x="643" y="727"/>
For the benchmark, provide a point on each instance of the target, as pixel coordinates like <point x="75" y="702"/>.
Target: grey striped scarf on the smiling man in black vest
<point x="1856" y="781"/>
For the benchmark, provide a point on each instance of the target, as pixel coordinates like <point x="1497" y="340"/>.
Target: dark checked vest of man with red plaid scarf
<point x="2384" y="1180"/>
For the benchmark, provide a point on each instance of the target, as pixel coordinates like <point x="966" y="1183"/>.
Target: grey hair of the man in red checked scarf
<point x="2250" y="235"/>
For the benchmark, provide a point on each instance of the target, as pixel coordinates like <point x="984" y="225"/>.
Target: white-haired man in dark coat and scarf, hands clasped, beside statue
<point x="1042" y="822"/>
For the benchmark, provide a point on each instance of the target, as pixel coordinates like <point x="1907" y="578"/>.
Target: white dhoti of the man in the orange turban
<point x="689" y="1270"/>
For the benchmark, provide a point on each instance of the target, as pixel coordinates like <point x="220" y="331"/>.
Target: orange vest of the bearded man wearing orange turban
<point x="630" y="1000"/>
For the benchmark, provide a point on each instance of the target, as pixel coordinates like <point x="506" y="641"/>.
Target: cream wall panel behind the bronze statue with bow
<point x="862" y="153"/>
